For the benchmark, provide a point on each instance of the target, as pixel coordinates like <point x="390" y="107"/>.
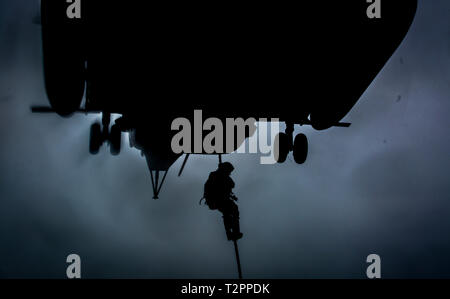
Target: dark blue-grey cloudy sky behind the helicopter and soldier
<point x="381" y="186"/>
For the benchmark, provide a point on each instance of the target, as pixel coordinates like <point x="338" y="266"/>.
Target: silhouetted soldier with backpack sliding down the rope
<point x="219" y="196"/>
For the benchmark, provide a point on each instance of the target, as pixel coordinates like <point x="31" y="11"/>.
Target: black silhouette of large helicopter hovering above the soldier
<point x="304" y="64"/>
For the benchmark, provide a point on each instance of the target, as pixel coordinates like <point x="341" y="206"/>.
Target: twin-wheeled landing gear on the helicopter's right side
<point x="286" y="144"/>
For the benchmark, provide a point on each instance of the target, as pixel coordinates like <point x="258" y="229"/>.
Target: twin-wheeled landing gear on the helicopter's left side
<point x="100" y="136"/>
